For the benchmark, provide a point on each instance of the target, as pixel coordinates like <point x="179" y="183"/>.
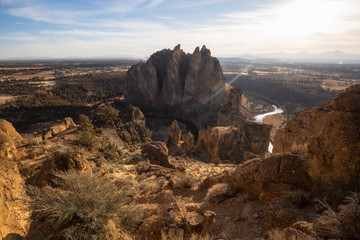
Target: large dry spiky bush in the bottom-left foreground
<point x="80" y="208"/>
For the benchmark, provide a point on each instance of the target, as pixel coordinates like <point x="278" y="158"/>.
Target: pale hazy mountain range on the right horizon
<point x="330" y="56"/>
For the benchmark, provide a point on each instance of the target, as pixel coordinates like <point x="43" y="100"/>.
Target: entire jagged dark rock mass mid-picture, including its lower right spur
<point x="193" y="85"/>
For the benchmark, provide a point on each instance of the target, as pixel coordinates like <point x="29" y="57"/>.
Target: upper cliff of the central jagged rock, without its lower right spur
<point x="174" y="78"/>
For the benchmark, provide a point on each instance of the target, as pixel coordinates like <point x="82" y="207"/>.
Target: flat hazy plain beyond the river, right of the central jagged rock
<point x="293" y="85"/>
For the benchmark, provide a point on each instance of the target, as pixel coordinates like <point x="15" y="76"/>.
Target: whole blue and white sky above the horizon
<point x="137" y="28"/>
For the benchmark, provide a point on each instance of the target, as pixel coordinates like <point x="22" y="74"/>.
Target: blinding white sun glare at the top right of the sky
<point x="305" y="17"/>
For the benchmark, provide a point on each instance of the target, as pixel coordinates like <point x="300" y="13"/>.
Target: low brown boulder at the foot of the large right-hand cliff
<point x="273" y="176"/>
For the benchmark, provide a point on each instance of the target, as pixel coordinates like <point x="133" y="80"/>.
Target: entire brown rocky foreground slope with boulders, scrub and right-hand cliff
<point x="136" y="188"/>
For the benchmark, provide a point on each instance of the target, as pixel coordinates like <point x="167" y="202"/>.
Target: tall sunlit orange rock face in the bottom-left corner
<point x="14" y="217"/>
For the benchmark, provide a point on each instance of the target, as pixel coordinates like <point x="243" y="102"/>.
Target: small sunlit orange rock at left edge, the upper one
<point x="9" y="140"/>
